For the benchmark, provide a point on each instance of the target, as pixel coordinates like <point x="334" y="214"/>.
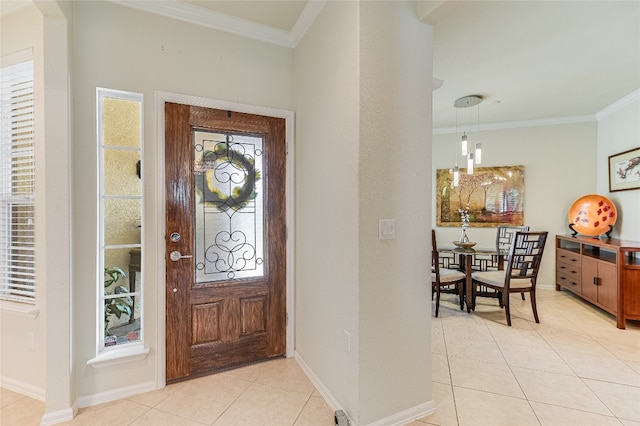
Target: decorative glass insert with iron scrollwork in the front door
<point x="229" y="202"/>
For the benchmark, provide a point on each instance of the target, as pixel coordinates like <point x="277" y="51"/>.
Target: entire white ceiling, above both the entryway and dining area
<point x="531" y="61"/>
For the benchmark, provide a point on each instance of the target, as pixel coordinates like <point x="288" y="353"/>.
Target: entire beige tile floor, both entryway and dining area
<point x="574" y="368"/>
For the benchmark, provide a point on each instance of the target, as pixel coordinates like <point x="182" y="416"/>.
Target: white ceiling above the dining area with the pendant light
<point x="534" y="60"/>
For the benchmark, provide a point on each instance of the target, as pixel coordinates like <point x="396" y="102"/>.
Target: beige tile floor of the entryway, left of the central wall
<point x="271" y="393"/>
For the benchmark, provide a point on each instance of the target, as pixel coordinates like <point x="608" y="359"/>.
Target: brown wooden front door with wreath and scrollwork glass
<point x="225" y="242"/>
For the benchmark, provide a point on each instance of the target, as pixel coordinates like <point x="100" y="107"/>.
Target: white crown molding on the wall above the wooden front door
<point x="219" y="21"/>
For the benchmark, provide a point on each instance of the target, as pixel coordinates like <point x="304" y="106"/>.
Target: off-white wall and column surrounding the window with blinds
<point x="44" y="371"/>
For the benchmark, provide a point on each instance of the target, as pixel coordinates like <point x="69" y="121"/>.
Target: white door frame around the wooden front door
<point x="158" y="248"/>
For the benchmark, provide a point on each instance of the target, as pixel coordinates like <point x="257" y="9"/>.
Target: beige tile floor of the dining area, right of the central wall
<point x="574" y="368"/>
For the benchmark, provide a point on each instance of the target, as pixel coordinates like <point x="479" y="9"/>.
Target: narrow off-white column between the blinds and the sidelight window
<point x="54" y="192"/>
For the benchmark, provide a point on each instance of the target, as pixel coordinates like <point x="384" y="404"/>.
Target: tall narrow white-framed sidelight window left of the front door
<point x="120" y="289"/>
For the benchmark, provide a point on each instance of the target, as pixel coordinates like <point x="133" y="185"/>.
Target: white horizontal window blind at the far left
<point x="17" y="183"/>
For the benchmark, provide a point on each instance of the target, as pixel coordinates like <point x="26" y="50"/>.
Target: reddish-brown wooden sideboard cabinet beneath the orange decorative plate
<point x="605" y="272"/>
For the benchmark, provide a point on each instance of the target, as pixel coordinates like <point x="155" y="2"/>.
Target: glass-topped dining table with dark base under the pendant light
<point x="471" y="259"/>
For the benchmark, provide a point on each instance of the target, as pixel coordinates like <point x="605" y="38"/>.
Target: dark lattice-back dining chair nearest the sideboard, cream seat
<point x="521" y="272"/>
